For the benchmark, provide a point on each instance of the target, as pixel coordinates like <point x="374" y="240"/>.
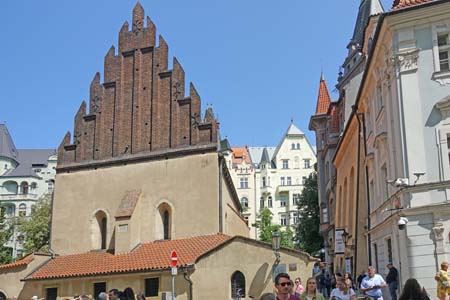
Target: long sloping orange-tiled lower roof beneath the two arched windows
<point x="149" y="256"/>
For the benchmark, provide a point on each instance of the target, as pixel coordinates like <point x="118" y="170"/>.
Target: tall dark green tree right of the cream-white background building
<point x="307" y="233"/>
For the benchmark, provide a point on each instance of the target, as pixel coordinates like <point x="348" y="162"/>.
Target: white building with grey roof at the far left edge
<point x="25" y="175"/>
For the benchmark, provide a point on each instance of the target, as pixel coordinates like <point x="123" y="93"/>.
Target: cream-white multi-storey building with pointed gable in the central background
<point x="272" y="177"/>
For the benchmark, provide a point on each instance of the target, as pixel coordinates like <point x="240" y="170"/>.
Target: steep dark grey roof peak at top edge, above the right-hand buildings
<point x="367" y="8"/>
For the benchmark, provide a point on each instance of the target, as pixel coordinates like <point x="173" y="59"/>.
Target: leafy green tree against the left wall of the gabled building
<point x="36" y="229"/>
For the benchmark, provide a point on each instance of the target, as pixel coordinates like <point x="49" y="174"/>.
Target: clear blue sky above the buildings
<point x="257" y="62"/>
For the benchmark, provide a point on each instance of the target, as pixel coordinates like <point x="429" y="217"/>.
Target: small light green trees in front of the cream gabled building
<point x="266" y="228"/>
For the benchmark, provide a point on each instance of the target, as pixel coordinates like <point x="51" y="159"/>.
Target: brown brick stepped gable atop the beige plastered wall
<point x="140" y="108"/>
